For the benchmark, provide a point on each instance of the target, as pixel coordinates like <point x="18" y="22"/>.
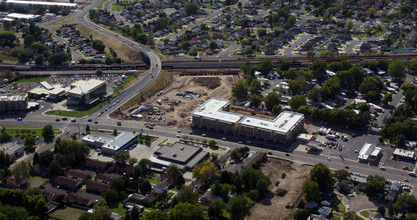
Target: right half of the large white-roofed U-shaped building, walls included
<point x="283" y="129"/>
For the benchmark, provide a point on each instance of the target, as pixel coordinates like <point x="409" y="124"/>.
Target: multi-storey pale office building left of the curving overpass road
<point x="85" y="92"/>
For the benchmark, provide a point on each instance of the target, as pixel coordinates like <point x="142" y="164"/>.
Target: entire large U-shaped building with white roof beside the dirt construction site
<point x="213" y="114"/>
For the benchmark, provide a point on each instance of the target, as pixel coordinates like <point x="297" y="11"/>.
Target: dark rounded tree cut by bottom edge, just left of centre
<point x="187" y="211"/>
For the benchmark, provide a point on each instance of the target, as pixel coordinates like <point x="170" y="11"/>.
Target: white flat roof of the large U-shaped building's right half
<point x="283" y="123"/>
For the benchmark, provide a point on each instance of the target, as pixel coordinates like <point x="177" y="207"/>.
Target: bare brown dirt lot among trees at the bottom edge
<point x="287" y="192"/>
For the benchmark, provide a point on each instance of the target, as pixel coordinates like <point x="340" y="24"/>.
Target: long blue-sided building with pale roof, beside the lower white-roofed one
<point x="121" y="142"/>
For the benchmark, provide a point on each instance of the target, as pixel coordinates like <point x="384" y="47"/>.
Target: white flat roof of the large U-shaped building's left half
<point x="212" y="109"/>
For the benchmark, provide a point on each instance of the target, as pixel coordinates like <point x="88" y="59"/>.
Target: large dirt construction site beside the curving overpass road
<point x="182" y="96"/>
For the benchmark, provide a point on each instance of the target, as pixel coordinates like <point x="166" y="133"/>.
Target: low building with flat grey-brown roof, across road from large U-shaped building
<point x="185" y="156"/>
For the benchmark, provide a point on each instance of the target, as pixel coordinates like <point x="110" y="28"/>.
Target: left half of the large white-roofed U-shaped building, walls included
<point x="213" y="114"/>
